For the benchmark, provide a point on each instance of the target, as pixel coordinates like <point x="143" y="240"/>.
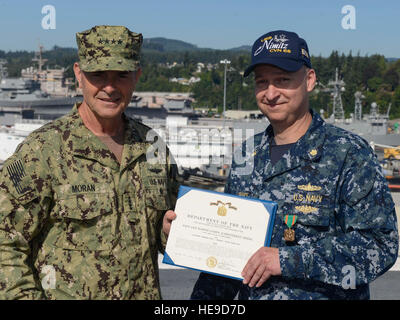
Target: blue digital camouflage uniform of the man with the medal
<point x="346" y="232"/>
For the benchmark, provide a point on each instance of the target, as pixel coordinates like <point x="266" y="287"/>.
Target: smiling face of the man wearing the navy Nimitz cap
<point x="283" y="96"/>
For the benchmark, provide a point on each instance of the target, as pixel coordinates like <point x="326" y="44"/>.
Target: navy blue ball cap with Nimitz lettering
<point x="283" y="49"/>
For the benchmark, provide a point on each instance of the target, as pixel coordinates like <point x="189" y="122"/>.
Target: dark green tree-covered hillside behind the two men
<point x="376" y="77"/>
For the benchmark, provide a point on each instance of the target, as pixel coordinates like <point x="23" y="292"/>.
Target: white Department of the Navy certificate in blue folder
<point x="217" y="232"/>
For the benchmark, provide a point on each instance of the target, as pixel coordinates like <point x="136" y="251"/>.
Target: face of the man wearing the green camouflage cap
<point x="107" y="93"/>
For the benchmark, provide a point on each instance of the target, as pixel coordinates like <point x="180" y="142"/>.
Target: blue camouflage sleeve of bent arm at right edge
<point x="366" y="241"/>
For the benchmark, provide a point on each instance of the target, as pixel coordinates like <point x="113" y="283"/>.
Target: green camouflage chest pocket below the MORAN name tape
<point x="86" y="221"/>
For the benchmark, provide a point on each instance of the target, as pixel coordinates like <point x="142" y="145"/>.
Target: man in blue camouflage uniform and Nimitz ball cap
<point x="335" y="229"/>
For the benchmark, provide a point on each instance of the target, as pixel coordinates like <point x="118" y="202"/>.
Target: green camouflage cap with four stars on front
<point x="103" y="48"/>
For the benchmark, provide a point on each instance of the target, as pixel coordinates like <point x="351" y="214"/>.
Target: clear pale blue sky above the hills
<point x="370" y="27"/>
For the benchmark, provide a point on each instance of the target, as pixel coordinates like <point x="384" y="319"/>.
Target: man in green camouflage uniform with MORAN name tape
<point x="81" y="208"/>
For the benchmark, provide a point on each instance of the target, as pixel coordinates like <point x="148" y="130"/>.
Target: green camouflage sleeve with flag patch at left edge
<point x="23" y="207"/>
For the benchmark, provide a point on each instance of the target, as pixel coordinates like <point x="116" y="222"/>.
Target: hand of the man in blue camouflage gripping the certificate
<point x="262" y="264"/>
